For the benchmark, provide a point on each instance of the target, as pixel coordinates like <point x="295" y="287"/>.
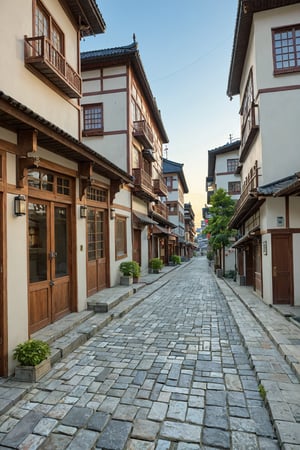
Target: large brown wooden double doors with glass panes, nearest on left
<point x="49" y="263"/>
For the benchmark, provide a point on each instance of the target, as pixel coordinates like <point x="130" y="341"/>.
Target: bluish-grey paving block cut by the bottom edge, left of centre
<point x="114" y="436"/>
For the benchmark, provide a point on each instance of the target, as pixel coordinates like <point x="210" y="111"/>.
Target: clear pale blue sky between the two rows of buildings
<point x="185" y="48"/>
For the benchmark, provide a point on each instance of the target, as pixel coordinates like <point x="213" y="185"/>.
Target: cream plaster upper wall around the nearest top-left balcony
<point x="45" y="101"/>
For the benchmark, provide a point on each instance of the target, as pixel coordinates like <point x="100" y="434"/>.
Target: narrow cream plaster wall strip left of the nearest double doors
<point x="17" y="306"/>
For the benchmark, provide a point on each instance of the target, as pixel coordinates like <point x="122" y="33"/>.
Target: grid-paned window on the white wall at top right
<point x="286" y="49"/>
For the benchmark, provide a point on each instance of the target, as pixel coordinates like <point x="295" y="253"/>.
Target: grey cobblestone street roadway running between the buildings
<point x="171" y="374"/>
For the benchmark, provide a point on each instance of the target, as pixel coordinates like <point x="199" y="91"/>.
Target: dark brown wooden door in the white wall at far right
<point x="282" y="275"/>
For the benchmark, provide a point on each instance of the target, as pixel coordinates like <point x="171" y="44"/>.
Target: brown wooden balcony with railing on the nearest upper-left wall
<point x="45" y="58"/>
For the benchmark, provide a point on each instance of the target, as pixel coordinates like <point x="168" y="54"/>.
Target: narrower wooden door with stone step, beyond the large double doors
<point x="97" y="249"/>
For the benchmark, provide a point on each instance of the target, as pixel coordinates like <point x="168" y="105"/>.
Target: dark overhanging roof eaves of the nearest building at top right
<point x="246" y="9"/>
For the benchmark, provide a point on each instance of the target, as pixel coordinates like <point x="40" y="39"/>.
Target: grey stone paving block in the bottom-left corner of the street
<point x="22" y="429"/>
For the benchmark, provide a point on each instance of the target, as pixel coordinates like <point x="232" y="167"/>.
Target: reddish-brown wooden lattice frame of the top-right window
<point x="291" y="49"/>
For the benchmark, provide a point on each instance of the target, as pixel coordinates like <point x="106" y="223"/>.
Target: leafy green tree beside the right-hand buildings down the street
<point x="221" y="211"/>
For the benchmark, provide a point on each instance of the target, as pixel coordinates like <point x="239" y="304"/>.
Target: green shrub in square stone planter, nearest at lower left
<point x="33" y="358"/>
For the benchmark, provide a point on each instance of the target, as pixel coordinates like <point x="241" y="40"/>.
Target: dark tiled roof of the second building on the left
<point x="127" y="54"/>
